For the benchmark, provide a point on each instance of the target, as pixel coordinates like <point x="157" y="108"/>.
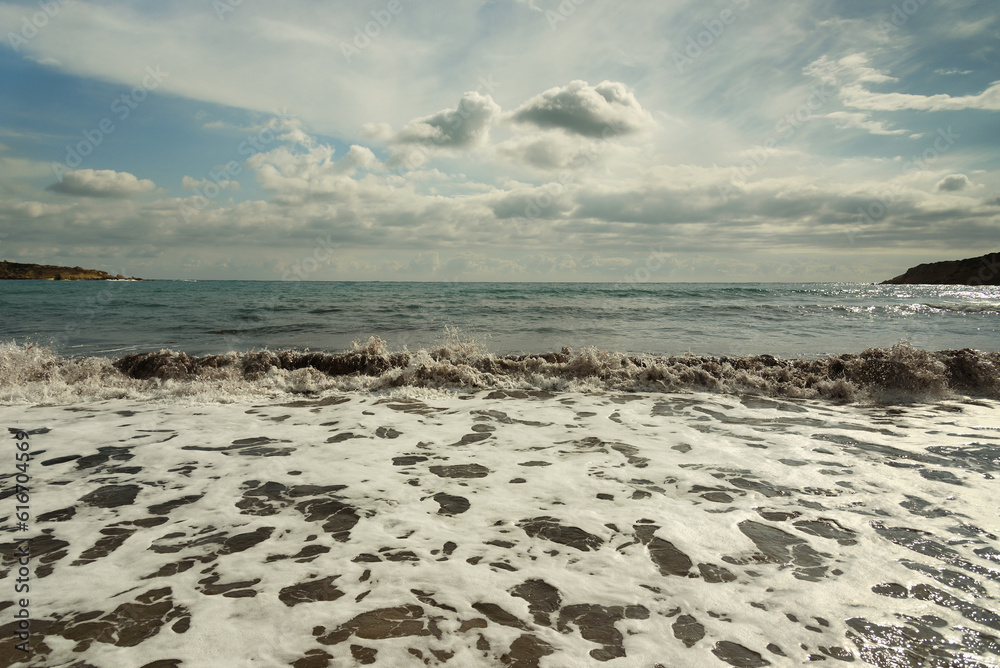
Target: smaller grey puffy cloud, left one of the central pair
<point x="465" y="125"/>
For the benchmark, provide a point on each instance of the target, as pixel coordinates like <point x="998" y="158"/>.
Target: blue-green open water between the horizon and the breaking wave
<point x="785" y="320"/>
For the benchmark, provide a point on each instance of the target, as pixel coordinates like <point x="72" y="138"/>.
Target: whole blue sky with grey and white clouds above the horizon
<point x="500" y="140"/>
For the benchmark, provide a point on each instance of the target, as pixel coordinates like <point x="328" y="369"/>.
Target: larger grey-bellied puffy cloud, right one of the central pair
<point x="608" y="109"/>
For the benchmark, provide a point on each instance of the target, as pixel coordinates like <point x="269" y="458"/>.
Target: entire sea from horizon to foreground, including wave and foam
<point x="324" y="474"/>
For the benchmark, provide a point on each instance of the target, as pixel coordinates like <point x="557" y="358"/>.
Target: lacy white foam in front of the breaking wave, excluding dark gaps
<point x="650" y="453"/>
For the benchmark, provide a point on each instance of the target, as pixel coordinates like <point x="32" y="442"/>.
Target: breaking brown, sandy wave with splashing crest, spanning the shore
<point x="35" y="374"/>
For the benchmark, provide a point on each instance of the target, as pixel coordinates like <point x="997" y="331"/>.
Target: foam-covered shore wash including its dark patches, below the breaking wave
<point x="511" y="528"/>
